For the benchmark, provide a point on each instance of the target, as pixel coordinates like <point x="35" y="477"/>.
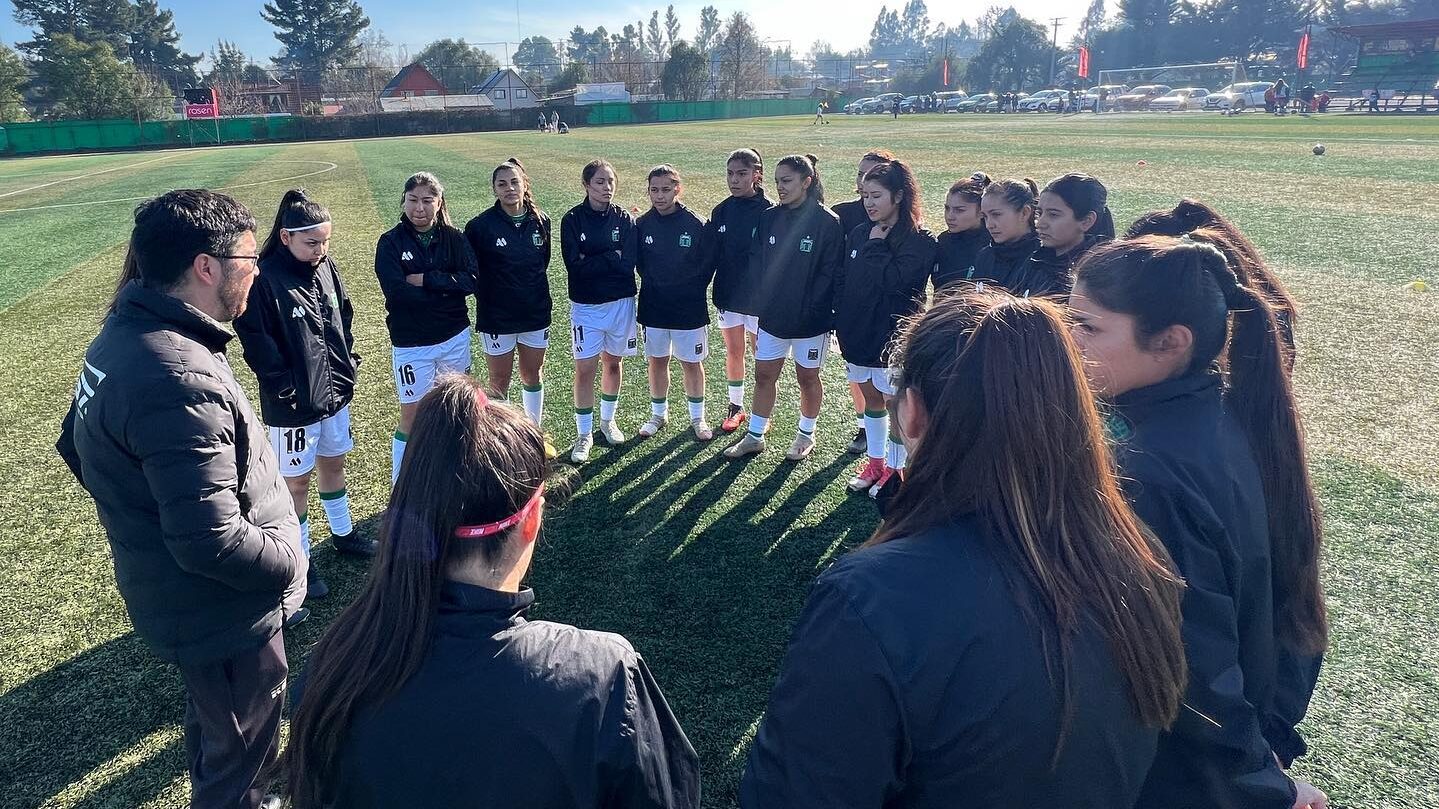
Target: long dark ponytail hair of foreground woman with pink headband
<point x="468" y="463"/>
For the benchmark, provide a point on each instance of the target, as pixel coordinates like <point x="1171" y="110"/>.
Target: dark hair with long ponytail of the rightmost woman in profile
<point x="1162" y="283"/>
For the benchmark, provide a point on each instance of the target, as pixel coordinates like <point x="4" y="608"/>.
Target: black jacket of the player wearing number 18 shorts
<point x="297" y="339"/>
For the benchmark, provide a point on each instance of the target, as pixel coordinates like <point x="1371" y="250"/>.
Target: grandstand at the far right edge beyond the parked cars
<point x="1399" y="60"/>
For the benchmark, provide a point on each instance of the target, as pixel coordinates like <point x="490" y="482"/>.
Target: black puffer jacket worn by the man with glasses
<point x="202" y="529"/>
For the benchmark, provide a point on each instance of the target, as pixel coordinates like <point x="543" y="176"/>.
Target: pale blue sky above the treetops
<point x="417" y="22"/>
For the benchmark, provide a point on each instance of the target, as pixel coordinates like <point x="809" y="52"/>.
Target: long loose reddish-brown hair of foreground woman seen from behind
<point x="992" y="372"/>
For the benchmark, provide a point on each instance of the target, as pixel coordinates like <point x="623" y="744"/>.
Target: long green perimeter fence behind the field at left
<point x="53" y="137"/>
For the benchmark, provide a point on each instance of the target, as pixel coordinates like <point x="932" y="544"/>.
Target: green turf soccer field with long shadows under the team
<point x="700" y="562"/>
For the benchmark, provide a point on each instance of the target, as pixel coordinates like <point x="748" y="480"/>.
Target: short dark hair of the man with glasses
<point x="173" y="230"/>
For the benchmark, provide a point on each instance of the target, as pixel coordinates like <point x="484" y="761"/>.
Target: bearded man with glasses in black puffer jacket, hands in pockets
<point x="202" y="530"/>
